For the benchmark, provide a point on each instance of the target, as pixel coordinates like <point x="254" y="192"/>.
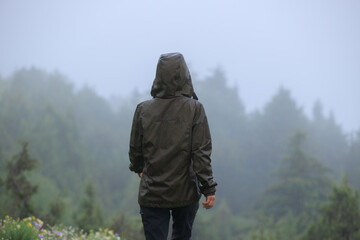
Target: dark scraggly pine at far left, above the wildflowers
<point x="19" y="188"/>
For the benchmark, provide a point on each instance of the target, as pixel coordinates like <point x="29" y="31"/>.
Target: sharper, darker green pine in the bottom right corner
<point x="339" y="218"/>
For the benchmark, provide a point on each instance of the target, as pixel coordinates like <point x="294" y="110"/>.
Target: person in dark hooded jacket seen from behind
<point x="170" y="148"/>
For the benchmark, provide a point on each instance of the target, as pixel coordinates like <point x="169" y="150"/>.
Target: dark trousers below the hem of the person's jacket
<point x="156" y="222"/>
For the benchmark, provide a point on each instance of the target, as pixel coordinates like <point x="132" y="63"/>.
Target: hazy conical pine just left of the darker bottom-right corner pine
<point x="302" y="184"/>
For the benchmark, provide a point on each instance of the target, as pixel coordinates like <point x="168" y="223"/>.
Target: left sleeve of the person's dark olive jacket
<point x="135" y="152"/>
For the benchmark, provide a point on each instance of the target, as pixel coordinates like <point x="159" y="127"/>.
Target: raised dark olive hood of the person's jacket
<point x="172" y="77"/>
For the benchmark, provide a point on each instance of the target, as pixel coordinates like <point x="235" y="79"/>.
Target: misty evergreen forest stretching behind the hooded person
<point x="281" y="173"/>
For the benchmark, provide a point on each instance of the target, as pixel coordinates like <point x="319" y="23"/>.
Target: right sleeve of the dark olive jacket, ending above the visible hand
<point x="201" y="151"/>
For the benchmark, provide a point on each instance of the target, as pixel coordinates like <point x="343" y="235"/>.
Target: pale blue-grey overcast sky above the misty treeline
<point x="310" y="47"/>
